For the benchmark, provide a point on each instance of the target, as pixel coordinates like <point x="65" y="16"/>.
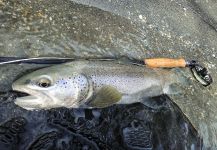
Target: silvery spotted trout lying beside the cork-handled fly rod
<point x="91" y="84"/>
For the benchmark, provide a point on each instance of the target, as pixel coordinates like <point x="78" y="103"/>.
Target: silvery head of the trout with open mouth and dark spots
<point x="50" y="88"/>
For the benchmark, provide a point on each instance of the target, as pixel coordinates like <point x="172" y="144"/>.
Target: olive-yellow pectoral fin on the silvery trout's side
<point x="105" y="97"/>
